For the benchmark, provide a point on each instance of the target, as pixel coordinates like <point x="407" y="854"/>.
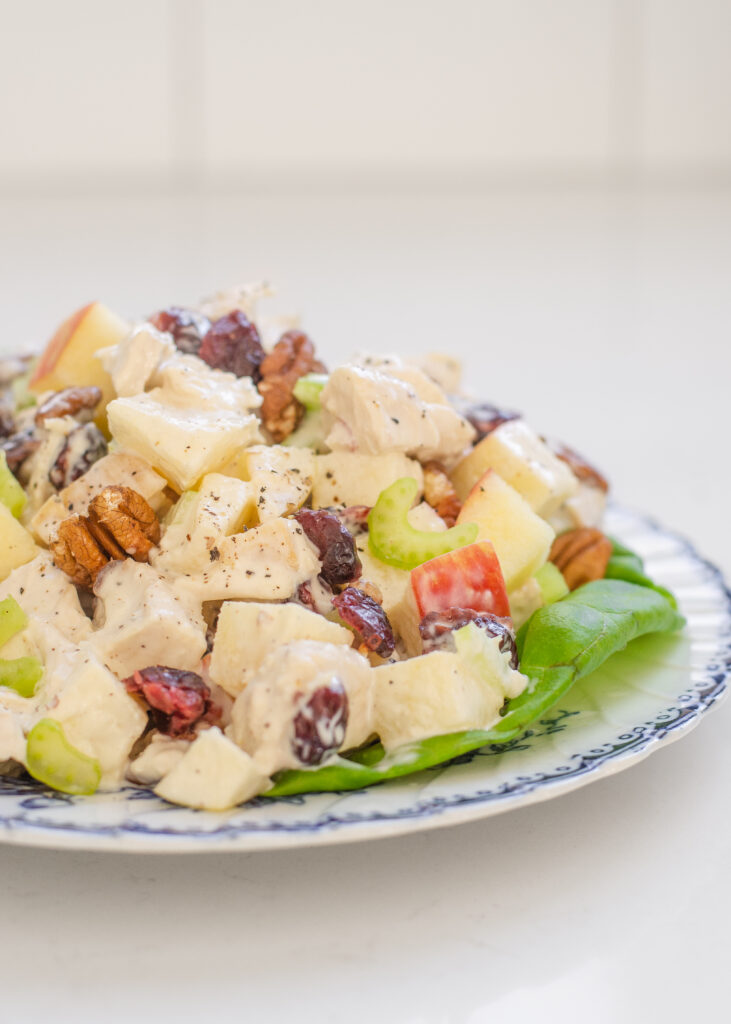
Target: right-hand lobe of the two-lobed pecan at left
<point x="125" y="518"/>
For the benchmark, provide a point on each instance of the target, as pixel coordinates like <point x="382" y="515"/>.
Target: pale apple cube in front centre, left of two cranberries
<point x="249" y="631"/>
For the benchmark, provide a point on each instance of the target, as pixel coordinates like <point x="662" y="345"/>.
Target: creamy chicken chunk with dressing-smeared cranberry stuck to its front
<point x="264" y="716"/>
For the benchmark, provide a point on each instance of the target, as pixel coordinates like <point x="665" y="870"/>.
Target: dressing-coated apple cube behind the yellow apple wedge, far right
<point x="524" y="461"/>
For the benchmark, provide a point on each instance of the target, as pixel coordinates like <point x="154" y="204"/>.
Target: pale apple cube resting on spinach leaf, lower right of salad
<point x="429" y="696"/>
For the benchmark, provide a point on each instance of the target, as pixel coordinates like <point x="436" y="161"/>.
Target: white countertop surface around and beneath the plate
<point x="606" y="317"/>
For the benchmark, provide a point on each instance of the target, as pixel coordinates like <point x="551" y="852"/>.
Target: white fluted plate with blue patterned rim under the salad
<point x="646" y="697"/>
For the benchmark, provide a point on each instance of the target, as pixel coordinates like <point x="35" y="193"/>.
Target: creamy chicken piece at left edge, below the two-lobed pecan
<point x="48" y="595"/>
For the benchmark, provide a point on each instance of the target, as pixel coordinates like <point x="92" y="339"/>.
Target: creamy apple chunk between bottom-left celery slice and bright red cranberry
<point x="99" y="717"/>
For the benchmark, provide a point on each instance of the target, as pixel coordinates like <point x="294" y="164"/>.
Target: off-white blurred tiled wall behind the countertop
<point x="248" y="93"/>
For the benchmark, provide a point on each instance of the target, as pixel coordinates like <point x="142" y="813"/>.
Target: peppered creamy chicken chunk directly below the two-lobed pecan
<point x="144" y="621"/>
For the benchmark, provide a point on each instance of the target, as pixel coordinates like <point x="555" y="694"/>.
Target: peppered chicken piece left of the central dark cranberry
<point x="267" y="564"/>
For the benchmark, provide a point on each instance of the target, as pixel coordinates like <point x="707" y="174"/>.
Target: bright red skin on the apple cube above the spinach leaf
<point x="468" y="578"/>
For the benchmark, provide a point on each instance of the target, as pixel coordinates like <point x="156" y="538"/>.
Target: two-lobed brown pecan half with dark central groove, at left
<point x="120" y="525"/>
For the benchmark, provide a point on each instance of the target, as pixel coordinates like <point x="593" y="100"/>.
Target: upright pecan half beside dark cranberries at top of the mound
<point x="292" y="358"/>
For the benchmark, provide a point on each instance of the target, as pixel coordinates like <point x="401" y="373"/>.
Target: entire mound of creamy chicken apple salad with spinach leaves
<point x="228" y="572"/>
